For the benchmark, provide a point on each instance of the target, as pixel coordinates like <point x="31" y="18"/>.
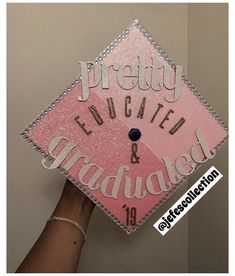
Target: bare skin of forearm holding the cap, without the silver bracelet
<point x="59" y="246"/>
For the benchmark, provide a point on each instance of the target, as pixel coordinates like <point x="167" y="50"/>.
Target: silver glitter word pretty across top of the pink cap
<point x="154" y="76"/>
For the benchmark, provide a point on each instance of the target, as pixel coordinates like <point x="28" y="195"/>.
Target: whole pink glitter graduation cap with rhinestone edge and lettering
<point x="129" y="130"/>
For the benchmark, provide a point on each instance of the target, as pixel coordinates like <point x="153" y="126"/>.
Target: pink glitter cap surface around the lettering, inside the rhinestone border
<point x="108" y="145"/>
